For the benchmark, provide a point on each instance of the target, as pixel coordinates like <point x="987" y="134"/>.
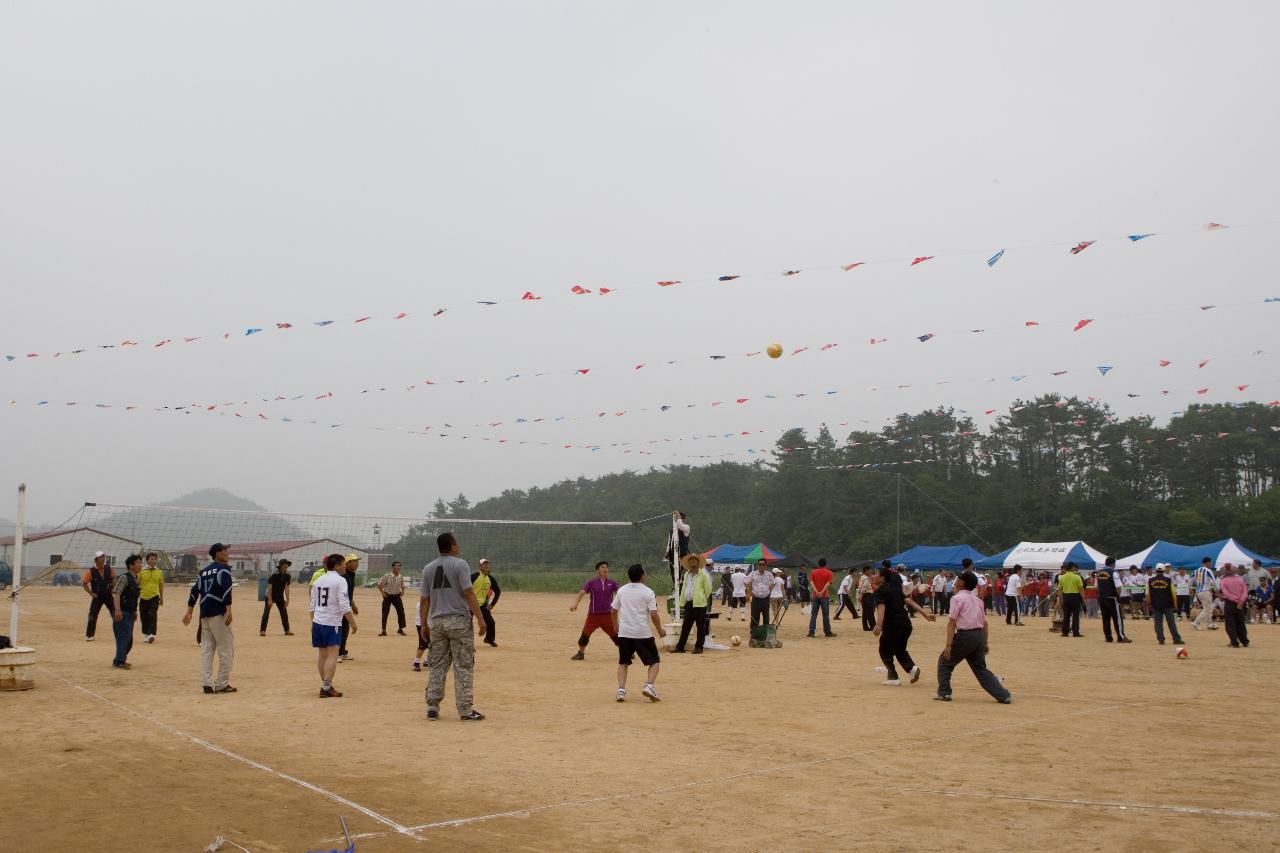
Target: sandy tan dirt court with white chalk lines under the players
<point x="1105" y="747"/>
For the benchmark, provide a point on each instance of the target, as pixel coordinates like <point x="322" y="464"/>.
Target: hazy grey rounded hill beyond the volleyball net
<point x="198" y="519"/>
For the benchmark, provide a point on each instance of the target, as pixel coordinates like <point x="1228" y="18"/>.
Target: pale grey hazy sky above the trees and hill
<point x="175" y="170"/>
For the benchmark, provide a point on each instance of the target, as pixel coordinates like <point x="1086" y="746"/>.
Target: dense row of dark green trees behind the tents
<point x="1049" y="469"/>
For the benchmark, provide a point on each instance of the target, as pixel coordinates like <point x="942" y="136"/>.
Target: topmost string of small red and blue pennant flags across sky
<point x="574" y="291"/>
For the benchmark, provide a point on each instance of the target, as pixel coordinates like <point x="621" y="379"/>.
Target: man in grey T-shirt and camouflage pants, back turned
<point x="447" y="608"/>
